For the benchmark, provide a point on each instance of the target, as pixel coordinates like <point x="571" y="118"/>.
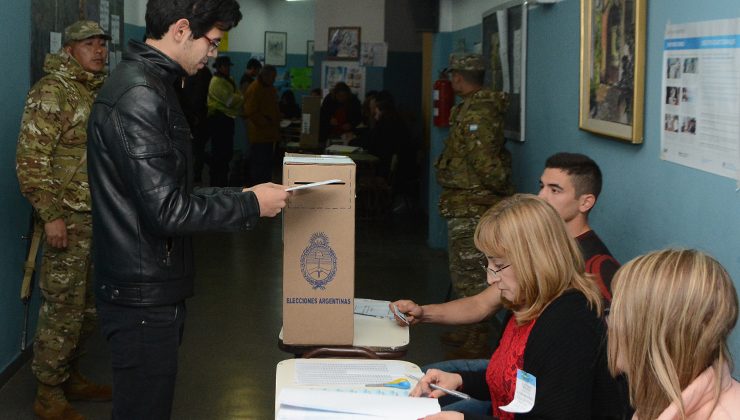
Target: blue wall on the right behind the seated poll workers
<point x="647" y="203"/>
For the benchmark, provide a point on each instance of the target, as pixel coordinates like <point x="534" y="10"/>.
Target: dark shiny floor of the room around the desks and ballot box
<point x="228" y="357"/>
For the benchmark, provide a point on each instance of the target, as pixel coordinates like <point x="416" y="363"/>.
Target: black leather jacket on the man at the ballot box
<point x="144" y="207"/>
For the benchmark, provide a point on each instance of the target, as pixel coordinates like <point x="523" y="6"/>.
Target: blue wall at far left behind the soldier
<point x="15" y="24"/>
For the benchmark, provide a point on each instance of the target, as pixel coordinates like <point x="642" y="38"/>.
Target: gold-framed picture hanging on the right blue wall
<point x="612" y="90"/>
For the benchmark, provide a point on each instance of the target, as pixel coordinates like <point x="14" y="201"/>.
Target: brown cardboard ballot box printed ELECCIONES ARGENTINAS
<point x="319" y="251"/>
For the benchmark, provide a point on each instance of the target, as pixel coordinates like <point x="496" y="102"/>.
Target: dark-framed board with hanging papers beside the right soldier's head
<point x="505" y="52"/>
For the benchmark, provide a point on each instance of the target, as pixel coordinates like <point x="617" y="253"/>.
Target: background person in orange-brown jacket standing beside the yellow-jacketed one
<point x="262" y="113"/>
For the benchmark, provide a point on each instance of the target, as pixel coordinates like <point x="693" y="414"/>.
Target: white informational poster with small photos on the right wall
<point x="700" y="96"/>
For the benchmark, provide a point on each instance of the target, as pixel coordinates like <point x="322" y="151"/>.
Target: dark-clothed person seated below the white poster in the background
<point x="341" y="112"/>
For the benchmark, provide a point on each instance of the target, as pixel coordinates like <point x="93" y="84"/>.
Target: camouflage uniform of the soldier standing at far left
<point x="52" y="141"/>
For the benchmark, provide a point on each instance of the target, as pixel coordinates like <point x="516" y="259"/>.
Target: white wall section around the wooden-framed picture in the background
<point x="369" y="15"/>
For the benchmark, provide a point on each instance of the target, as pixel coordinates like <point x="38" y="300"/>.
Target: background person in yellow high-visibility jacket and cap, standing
<point x="224" y="105"/>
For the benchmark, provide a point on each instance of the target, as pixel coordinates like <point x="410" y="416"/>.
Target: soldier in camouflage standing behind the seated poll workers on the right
<point x="474" y="171"/>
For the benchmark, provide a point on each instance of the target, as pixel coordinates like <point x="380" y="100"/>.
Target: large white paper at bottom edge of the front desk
<point x="298" y="403"/>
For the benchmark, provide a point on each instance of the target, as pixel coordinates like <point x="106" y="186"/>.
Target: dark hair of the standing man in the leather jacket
<point x="202" y="14"/>
